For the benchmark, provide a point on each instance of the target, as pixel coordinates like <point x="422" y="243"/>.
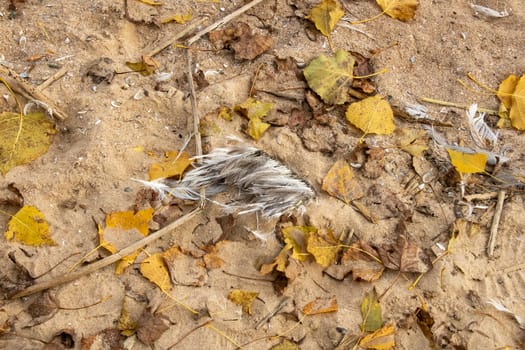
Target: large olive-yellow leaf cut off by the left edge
<point x="23" y="138"/>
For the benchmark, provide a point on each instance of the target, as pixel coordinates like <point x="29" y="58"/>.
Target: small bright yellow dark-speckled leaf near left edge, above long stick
<point x="28" y="226"/>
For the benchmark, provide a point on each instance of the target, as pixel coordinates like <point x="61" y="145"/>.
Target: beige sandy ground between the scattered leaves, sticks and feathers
<point x="117" y="127"/>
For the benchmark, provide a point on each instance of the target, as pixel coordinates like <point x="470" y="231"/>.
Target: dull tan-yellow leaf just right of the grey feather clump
<point x="339" y="183"/>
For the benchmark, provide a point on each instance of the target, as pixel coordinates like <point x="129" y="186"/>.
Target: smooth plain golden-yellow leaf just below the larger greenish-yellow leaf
<point x="373" y="115"/>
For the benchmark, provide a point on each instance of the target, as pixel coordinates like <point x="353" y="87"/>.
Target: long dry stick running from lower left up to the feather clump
<point x="108" y="260"/>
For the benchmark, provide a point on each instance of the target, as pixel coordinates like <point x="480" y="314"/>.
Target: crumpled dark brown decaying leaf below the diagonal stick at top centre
<point x="241" y="40"/>
